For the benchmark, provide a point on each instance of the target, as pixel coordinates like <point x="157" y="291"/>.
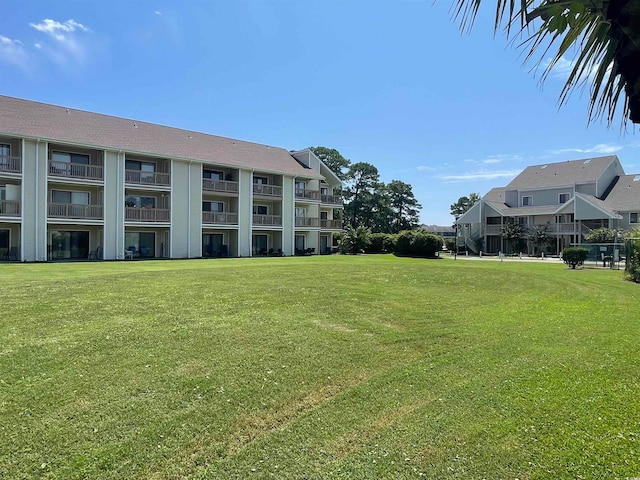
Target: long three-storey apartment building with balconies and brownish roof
<point x="81" y="185"/>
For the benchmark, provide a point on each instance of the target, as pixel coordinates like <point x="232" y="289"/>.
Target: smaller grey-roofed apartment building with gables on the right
<point x="568" y="199"/>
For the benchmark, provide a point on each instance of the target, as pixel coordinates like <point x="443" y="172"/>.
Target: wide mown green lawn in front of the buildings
<point x="322" y="367"/>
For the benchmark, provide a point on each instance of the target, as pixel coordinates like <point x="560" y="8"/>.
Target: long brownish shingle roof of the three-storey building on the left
<point x="24" y="118"/>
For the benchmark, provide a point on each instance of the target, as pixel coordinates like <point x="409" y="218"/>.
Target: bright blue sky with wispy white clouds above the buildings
<point x="392" y="83"/>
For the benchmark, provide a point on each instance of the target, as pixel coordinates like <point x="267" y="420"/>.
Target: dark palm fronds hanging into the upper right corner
<point x="602" y="35"/>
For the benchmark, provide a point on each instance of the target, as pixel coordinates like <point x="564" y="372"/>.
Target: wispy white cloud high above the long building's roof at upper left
<point x="66" y="44"/>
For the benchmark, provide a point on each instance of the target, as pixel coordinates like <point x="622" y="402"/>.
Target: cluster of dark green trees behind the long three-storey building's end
<point x="369" y="202"/>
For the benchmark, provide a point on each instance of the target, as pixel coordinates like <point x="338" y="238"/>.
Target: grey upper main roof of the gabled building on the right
<point x="561" y="173"/>
